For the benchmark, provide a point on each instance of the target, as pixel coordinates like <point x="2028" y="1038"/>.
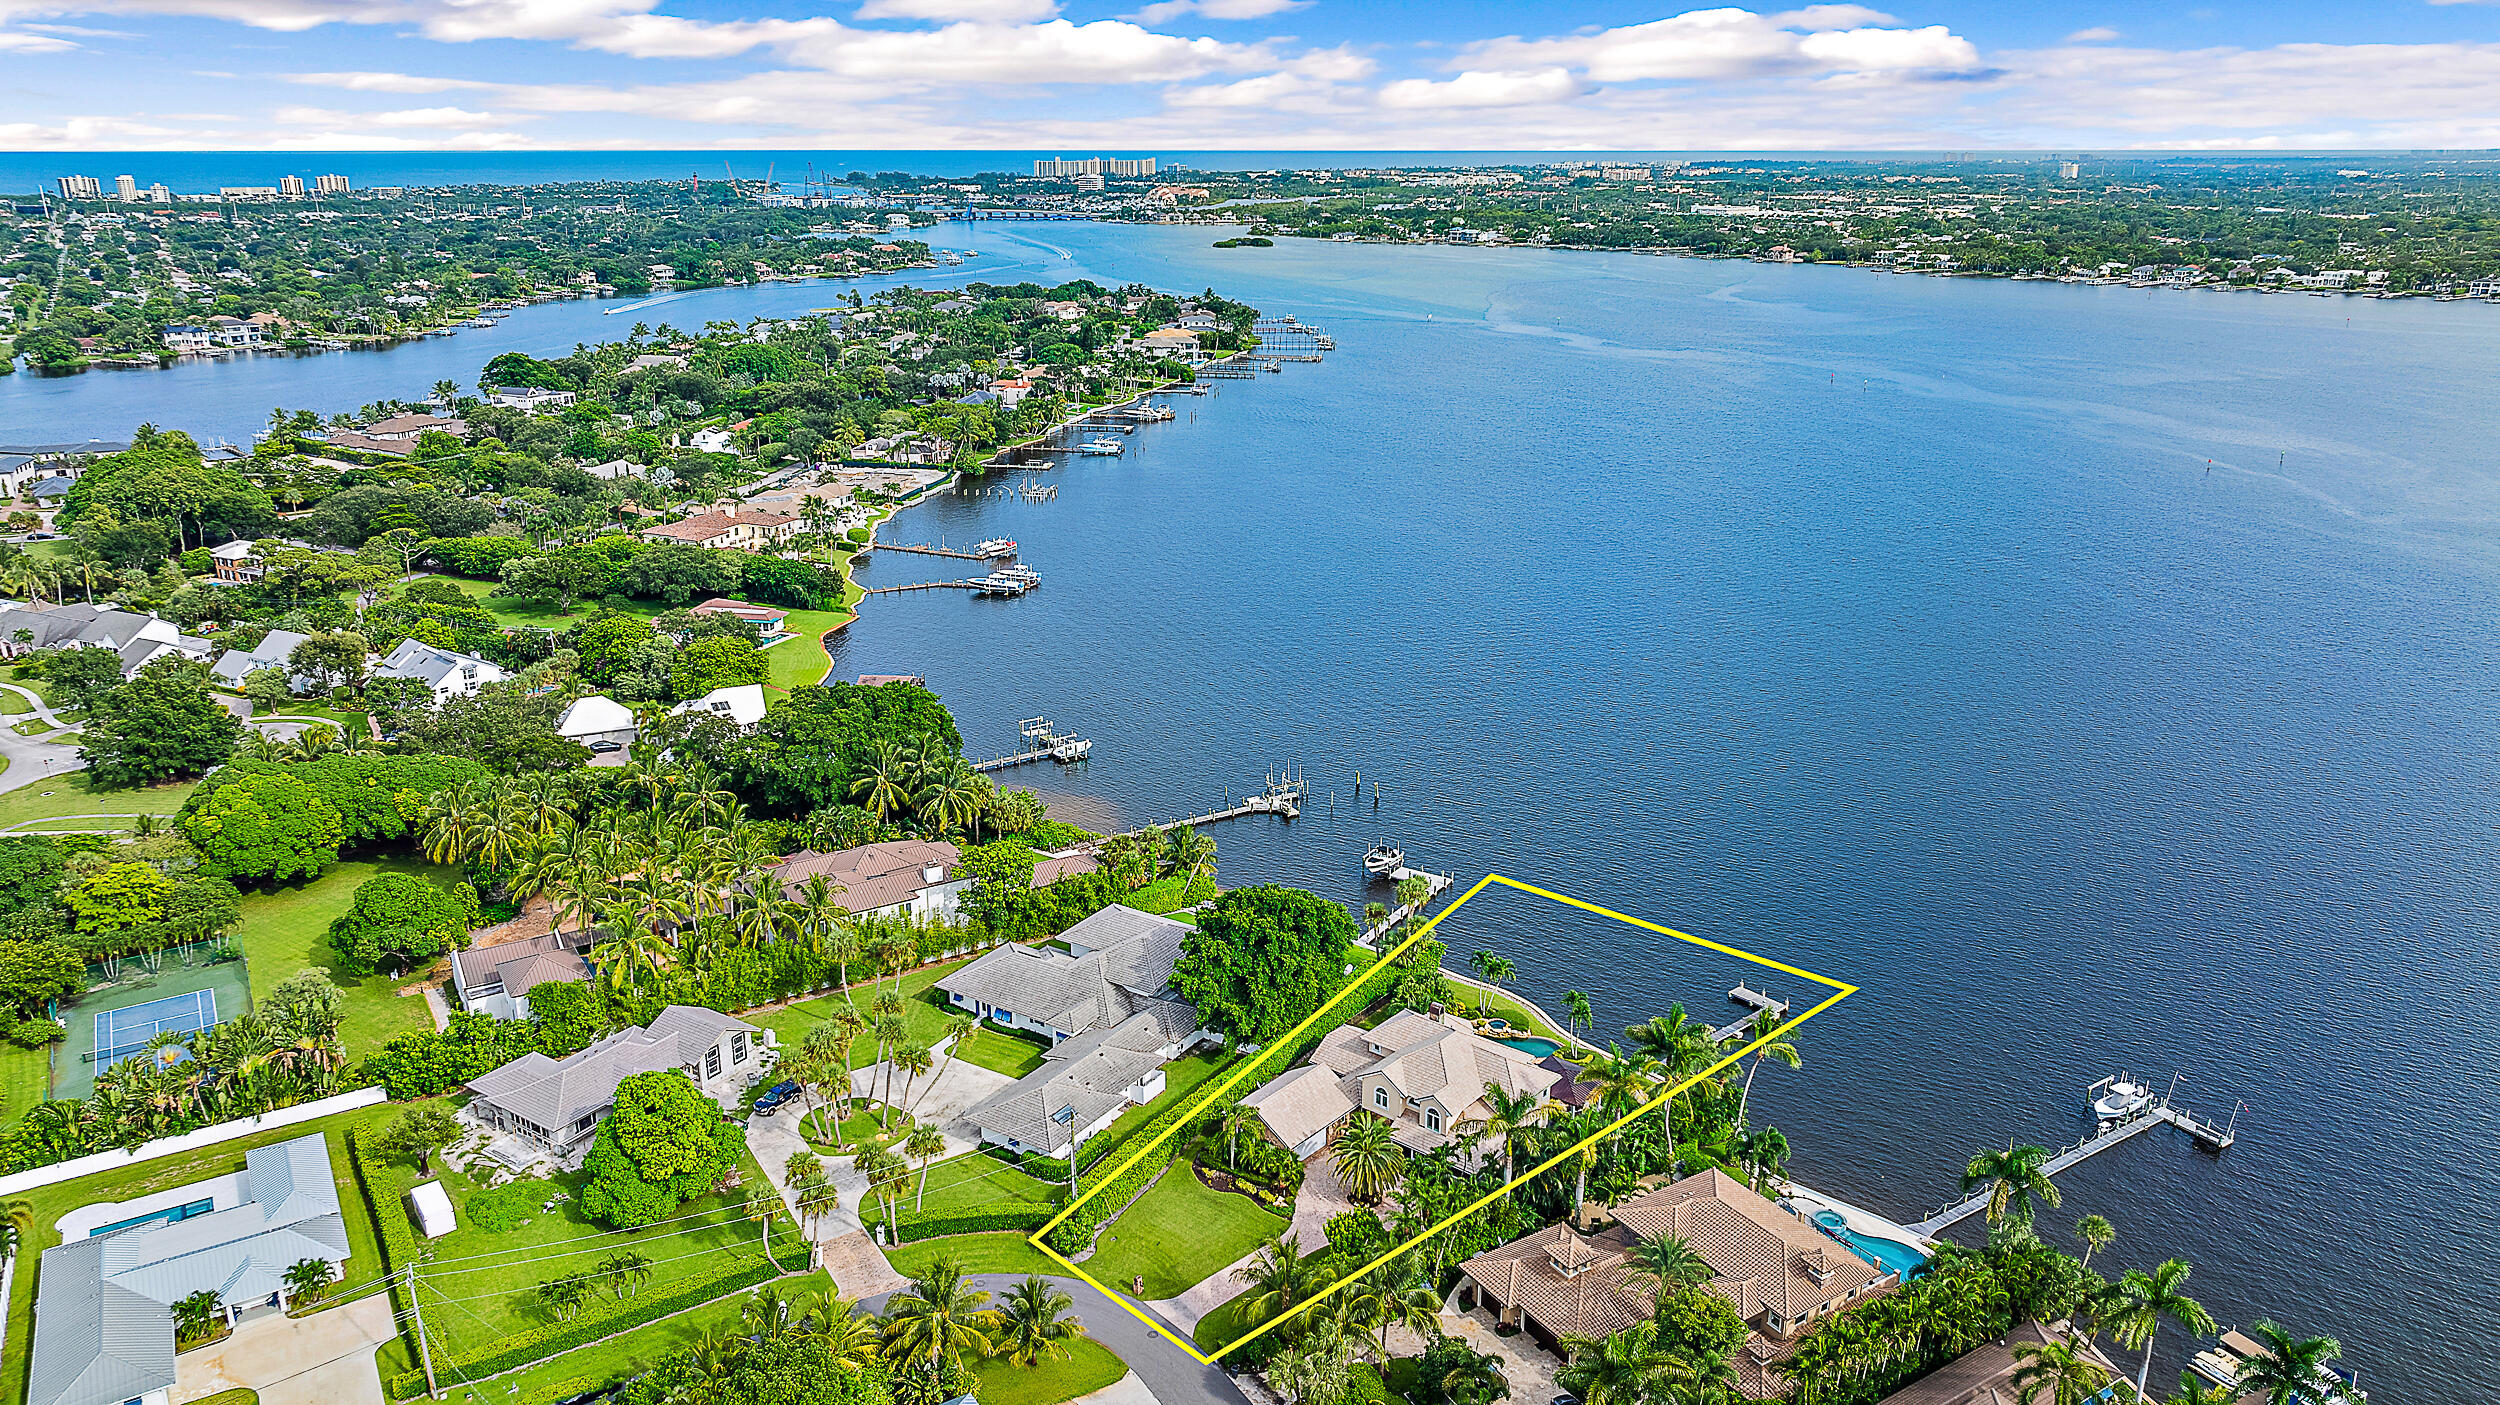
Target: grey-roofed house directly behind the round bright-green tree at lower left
<point x="551" y="1106"/>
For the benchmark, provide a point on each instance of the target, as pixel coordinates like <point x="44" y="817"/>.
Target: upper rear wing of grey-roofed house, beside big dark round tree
<point x="1119" y="964"/>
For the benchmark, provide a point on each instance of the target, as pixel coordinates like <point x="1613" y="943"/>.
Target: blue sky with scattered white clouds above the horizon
<point x="1244" y="74"/>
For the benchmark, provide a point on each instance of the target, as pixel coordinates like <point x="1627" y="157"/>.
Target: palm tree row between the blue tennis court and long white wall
<point x="274" y="1056"/>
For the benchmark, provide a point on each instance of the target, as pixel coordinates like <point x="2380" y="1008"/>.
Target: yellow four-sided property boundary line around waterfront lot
<point x="1841" y="991"/>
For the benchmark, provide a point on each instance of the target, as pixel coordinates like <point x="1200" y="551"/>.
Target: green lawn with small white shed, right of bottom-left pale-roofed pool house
<point x="481" y="1286"/>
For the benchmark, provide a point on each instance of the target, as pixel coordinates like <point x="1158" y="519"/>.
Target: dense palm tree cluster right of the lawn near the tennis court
<point x="674" y="876"/>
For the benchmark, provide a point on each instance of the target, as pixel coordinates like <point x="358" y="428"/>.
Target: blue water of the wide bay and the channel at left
<point x="2096" y="679"/>
